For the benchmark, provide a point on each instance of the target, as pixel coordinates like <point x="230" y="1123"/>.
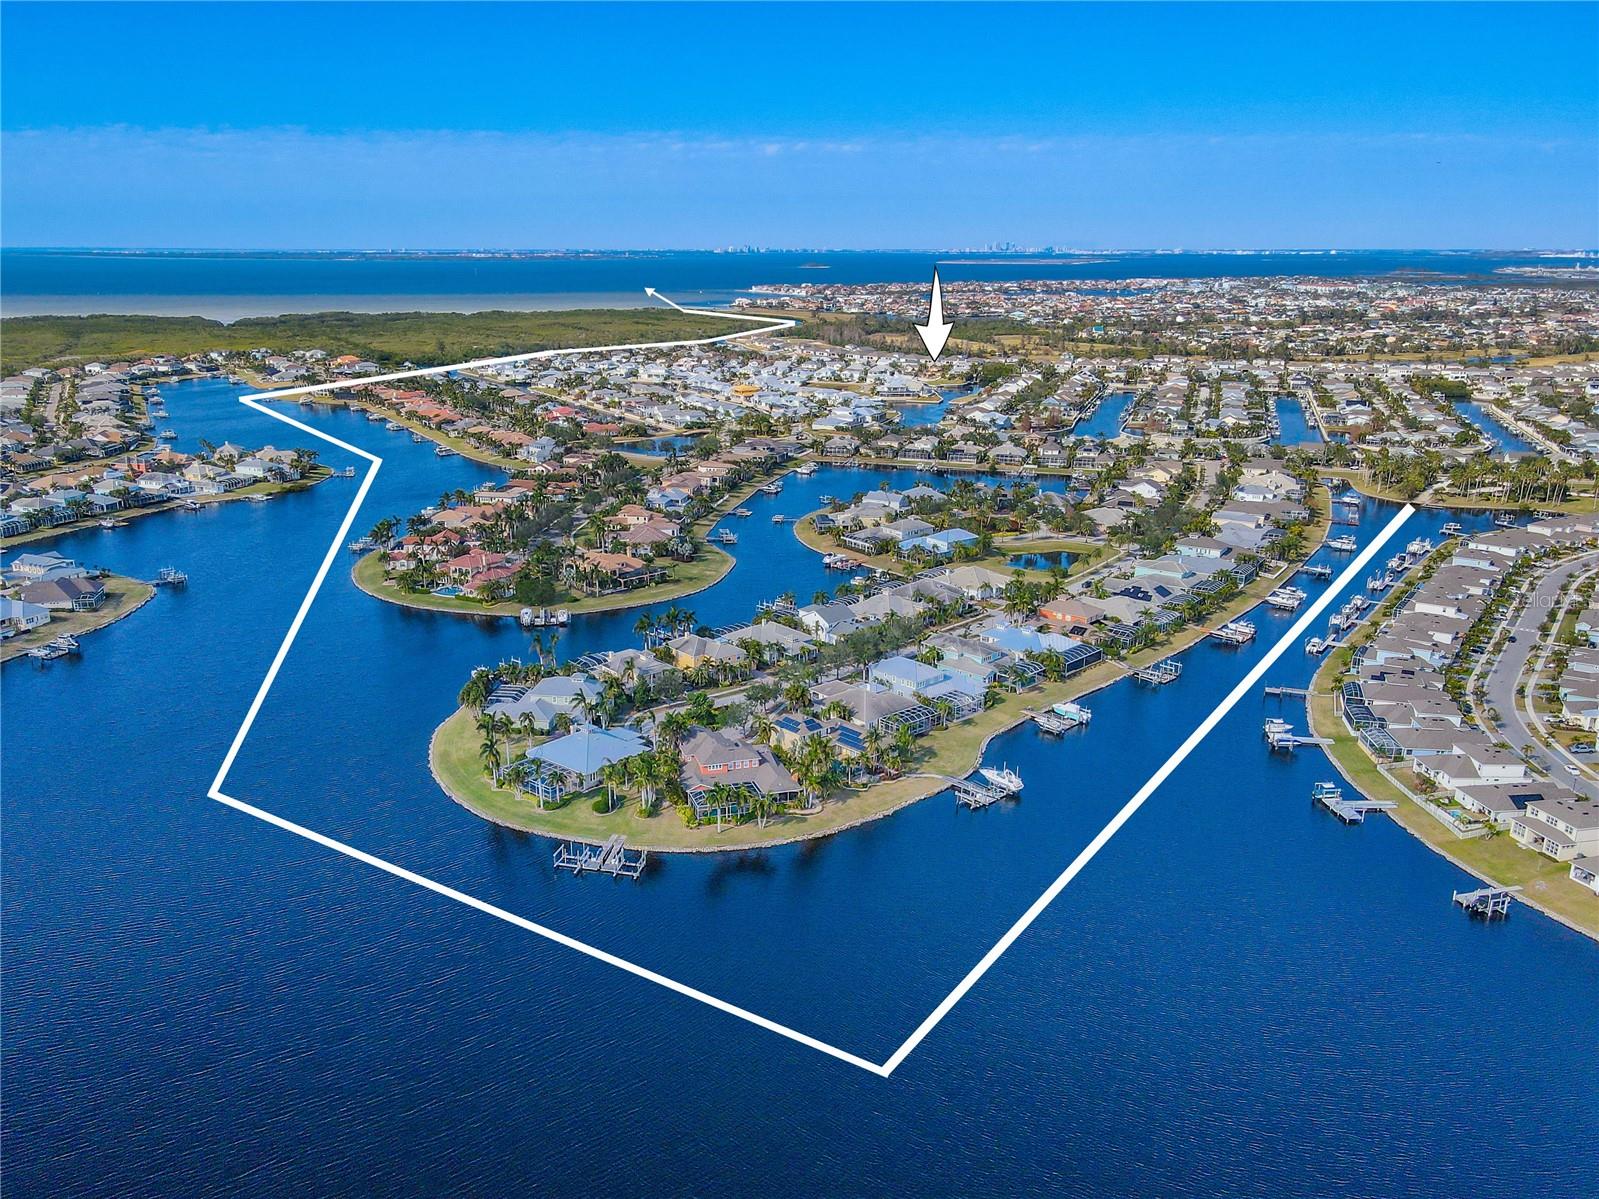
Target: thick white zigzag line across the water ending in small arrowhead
<point x="885" y="1069"/>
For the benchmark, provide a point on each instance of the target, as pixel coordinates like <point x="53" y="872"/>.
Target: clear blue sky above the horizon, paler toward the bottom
<point x="823" y="125"/>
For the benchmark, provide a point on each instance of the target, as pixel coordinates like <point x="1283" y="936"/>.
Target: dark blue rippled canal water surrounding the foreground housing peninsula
<point x="196" y="998"/>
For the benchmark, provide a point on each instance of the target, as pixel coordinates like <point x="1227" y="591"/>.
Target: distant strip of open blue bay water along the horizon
<point x="98" y="281"/>
